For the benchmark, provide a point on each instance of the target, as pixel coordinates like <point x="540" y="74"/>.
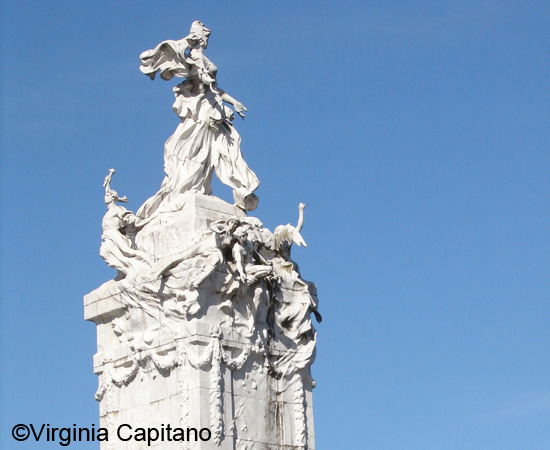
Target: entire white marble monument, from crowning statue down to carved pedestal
<point x="208" y="322"/>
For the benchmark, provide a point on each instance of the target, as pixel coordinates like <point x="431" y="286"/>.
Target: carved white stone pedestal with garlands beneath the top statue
<point x="205" y="339"/>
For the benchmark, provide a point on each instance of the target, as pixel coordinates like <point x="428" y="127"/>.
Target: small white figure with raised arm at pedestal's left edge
<point x="116" y="245"/>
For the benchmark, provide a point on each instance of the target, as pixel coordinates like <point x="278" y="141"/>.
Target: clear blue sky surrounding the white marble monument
<point x="418" y="135"/>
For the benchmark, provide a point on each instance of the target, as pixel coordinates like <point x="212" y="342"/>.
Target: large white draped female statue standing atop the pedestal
<point x="205" y="140"/>
